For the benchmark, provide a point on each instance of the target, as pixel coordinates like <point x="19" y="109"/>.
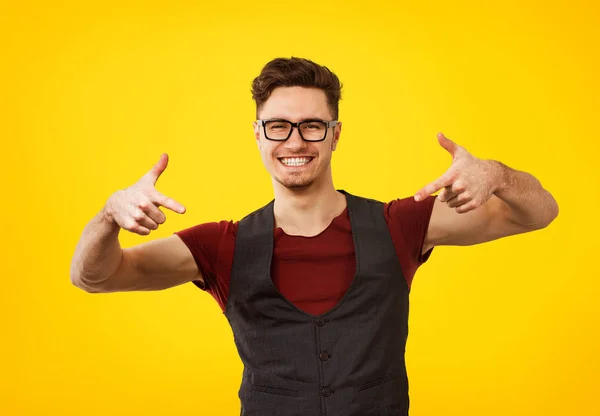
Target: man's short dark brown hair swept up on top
<point x="296" y="72"/>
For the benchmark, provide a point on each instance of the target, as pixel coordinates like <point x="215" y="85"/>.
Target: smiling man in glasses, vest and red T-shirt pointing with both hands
<point x="315" y="284"/>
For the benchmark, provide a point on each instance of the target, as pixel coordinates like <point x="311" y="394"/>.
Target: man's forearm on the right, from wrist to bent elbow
<point x="530" y="205"/>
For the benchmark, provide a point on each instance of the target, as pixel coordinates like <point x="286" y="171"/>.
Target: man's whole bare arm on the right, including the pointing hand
<point x="483" y="200"/>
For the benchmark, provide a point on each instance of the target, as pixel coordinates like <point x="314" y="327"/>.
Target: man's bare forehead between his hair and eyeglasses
<point x="296" y="103"/>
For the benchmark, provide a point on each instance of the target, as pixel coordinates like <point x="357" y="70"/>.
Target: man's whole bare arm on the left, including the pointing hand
<point x="100" y="265"/>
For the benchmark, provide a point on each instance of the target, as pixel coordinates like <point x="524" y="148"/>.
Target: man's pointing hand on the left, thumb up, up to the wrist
<point x="135" y="209"/>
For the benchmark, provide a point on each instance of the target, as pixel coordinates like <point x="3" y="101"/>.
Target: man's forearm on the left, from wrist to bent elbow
<point x="98" y="253"/>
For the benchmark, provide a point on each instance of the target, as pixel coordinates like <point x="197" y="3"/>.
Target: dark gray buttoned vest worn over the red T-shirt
<point x="348" y="361"/>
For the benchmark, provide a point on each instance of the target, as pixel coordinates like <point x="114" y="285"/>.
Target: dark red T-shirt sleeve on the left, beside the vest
<point x="212" y="245"/>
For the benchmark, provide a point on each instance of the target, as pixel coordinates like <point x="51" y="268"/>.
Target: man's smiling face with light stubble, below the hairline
<point x="311" y="161"/>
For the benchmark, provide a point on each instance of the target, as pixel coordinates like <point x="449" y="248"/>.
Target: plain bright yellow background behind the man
<point x="92" y="93"/>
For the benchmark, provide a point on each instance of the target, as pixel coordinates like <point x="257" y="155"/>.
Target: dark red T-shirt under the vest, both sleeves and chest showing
<point x="313" y="273"/>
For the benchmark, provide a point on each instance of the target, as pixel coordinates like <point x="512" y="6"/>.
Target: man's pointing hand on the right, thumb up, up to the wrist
<point x="467" y="184"/>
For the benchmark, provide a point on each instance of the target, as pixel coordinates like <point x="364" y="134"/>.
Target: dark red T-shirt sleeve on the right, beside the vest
<point x="408" y="221"/>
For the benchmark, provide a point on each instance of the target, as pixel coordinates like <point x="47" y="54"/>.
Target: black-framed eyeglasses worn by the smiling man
<point x="310" y="130"/>
